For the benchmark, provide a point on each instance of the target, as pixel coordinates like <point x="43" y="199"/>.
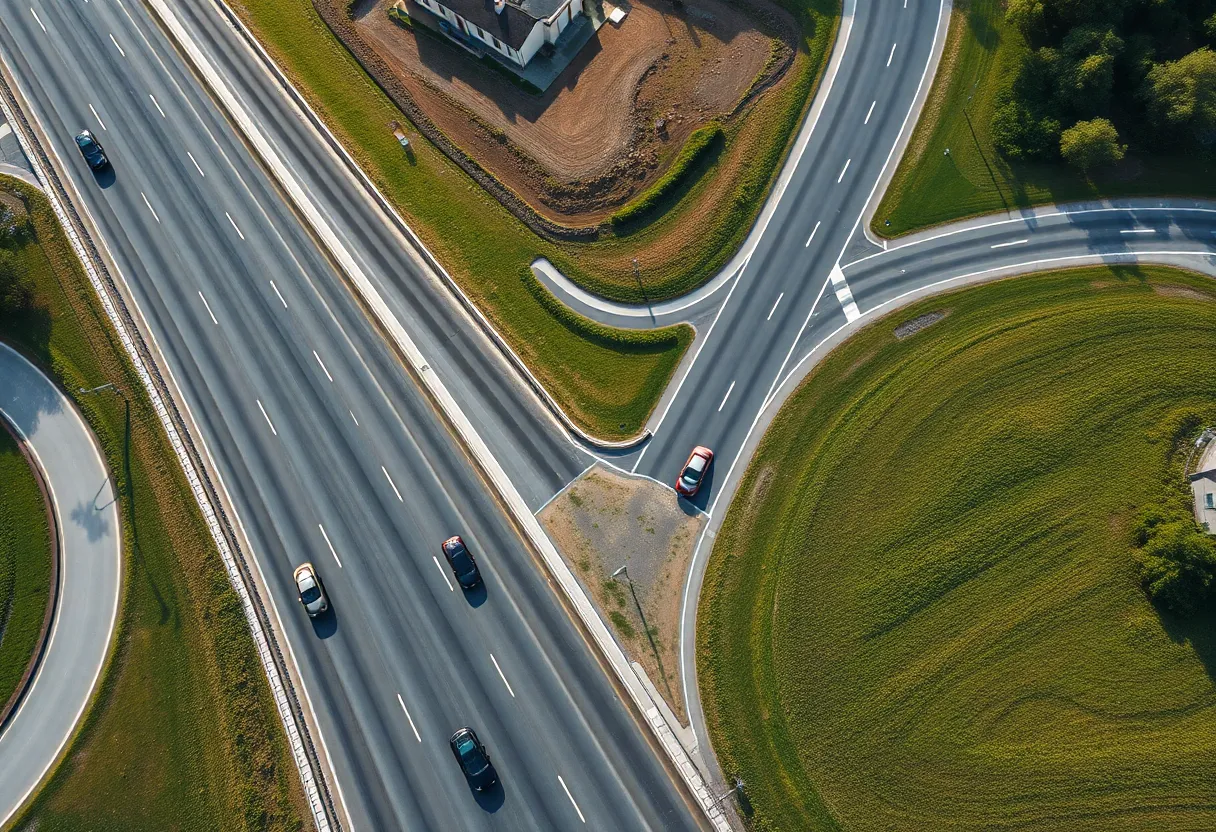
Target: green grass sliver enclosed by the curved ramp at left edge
<point x="25" y="565"/>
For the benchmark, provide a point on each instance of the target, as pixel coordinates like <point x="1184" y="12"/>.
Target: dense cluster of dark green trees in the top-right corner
<point x="1101" y="75"/>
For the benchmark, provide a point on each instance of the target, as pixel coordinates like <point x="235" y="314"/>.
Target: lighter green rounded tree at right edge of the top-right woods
<point x="1181" y="95"/>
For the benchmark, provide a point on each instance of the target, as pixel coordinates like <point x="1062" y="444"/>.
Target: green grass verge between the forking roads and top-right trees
<point x="930" y="188"/>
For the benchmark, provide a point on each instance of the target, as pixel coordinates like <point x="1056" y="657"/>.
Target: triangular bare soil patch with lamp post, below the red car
<point x="606" y="521"/>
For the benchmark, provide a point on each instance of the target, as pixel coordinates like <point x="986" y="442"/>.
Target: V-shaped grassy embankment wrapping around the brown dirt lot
<point x="606" y="380"/>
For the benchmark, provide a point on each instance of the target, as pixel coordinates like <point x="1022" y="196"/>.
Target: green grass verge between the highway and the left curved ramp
<point x="183" y="733"/>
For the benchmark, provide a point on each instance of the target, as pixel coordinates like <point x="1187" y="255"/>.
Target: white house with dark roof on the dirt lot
<point x="516" y="30"/>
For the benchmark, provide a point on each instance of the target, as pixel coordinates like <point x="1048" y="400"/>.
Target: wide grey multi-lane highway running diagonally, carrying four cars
<point x="330" y="451"/>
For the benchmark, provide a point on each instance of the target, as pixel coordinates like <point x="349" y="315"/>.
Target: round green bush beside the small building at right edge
<point x="1176" y="559"/>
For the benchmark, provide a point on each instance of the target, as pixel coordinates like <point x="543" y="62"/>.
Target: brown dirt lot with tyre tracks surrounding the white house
<point x="590" y="142"/>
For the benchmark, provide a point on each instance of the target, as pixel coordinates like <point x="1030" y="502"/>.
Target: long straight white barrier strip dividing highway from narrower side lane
<point x="451" y="412"/>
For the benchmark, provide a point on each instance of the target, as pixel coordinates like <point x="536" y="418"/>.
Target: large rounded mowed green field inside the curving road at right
<point x="922" y="611"/>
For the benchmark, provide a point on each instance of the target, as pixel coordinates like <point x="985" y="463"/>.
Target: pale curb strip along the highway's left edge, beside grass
<point x="185" y="449"/>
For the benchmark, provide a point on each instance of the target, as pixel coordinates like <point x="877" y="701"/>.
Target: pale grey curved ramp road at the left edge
<point x="91" y="576"/>
